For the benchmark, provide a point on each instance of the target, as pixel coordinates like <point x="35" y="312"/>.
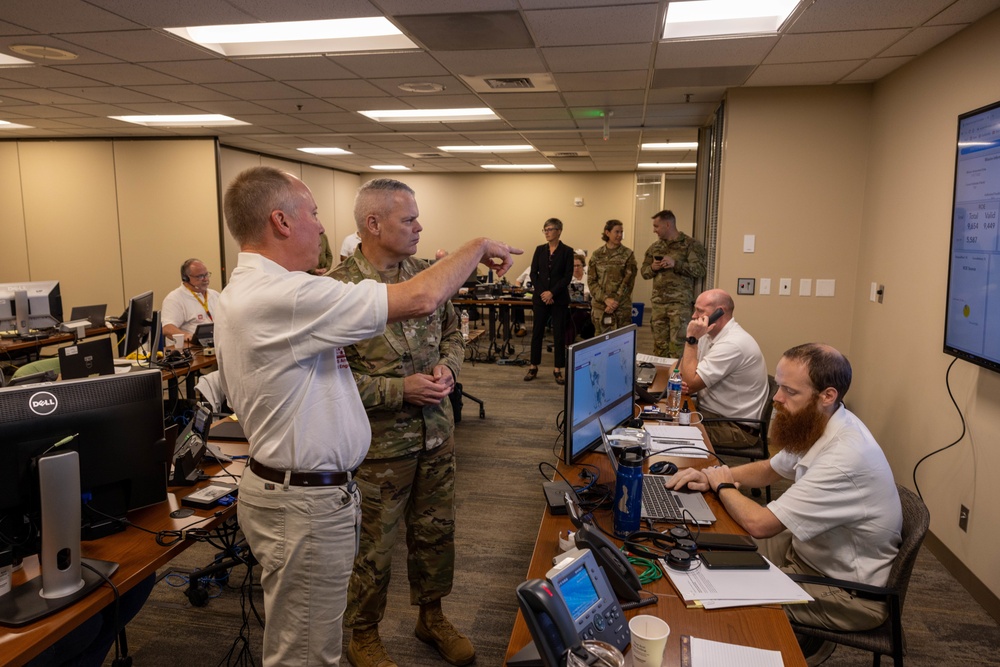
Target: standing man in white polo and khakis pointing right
<point x="280" y="335"/>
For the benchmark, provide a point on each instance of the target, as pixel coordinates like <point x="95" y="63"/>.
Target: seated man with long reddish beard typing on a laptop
<point x="841" y="517"/>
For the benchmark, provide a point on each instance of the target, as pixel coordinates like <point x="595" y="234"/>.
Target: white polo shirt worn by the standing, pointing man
<point x="280" y="338"/>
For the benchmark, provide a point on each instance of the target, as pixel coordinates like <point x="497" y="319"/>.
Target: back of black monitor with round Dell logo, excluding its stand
<point x="113" y="422"/>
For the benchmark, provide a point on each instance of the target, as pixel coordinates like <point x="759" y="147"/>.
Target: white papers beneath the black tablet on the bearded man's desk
<point x="716" y="589"/>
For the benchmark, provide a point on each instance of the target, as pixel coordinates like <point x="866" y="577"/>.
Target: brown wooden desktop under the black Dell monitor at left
<point x="137" y="554"/>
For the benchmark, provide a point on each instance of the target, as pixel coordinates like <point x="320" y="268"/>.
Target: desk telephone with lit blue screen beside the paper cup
<point x="574" y="603"/>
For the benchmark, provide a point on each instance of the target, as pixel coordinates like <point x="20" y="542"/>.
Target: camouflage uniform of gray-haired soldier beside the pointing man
<point x="409" y="472"/>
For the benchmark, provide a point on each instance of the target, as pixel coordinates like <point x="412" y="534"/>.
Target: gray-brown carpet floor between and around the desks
<point x="500" y="503"/>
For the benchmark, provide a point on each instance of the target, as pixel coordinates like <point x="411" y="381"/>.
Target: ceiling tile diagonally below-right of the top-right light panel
<point x="832" y="46"/>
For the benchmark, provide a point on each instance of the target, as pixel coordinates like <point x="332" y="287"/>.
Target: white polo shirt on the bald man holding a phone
<point x="733" y="370"/>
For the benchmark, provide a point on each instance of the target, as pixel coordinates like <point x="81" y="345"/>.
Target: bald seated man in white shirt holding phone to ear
<point x="724" y="365"/>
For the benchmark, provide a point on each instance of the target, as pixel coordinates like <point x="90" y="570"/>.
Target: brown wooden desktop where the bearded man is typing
<point x="761" y="627"/>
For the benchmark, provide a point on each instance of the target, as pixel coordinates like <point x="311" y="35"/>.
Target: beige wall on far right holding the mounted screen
<point x="900" y="388"/>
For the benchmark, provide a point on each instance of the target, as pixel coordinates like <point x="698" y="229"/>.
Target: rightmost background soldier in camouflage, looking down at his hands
<point x="673" y="263"/>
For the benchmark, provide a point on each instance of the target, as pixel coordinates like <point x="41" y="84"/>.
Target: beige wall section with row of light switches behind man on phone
<point x="793" y="175"/>
